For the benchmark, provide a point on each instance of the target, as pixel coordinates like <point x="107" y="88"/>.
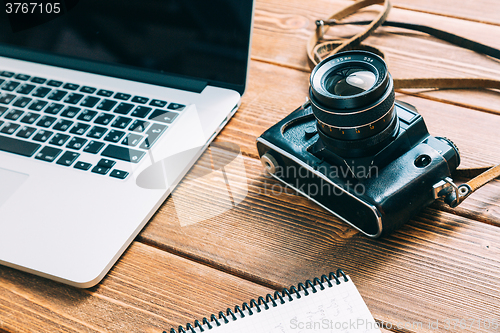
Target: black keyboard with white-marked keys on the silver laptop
<point x="62" y="123"/>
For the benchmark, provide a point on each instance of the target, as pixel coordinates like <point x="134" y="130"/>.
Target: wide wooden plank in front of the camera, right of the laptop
<point x="446" y="266"/>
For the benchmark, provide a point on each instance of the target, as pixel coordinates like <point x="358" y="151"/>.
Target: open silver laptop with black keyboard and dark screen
<point x="104" y="107"/>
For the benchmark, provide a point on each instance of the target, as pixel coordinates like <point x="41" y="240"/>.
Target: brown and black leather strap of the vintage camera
<point x="318" y="48"/>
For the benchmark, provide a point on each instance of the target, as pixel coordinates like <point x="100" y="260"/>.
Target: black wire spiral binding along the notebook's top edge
<point x="261" y="301"/>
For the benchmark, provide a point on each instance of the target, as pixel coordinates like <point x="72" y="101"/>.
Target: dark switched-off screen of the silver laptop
<point x="135" y="39"/>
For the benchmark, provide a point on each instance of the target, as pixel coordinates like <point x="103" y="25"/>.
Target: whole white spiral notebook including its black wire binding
<point x="324" y="305"/>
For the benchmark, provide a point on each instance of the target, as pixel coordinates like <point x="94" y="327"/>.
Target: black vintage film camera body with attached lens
<point x="357" y="152"/>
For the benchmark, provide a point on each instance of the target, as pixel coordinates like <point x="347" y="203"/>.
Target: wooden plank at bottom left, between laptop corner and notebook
<point x="147" y="291"/>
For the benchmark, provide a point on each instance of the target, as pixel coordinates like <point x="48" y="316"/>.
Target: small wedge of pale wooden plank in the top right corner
<point x="484" y="11"/>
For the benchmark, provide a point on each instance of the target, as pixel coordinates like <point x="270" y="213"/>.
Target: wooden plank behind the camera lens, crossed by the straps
<point x="282" y="31"/>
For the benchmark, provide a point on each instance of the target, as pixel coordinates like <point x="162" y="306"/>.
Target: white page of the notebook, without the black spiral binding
<point x="339" y="308"/>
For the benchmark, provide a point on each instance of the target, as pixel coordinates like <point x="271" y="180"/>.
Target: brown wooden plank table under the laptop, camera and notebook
<point x="444" y="264"/>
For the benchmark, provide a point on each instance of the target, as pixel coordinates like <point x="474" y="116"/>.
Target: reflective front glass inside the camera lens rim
<point x="349" y="81"/>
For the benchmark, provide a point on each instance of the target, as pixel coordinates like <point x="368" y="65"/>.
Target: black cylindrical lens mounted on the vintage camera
<point x="352" y="98"/>
